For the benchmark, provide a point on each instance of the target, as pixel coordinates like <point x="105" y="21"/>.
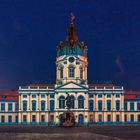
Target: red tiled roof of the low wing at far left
<point x="8" y="96"/>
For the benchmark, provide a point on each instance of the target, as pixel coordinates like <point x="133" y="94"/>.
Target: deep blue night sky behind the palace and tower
<point x="31" y="29"/>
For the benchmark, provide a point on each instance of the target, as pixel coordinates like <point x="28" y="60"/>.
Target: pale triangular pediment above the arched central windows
<point x="71" y="85"/>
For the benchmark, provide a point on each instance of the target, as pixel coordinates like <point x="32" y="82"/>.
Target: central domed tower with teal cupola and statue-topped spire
<point x="71" y="60"/>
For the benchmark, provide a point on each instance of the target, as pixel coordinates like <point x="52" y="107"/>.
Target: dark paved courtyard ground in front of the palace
<point x="95" y="132"/>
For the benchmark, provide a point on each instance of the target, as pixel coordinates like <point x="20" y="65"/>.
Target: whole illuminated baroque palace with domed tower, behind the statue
<point x="98" y="103"/>
